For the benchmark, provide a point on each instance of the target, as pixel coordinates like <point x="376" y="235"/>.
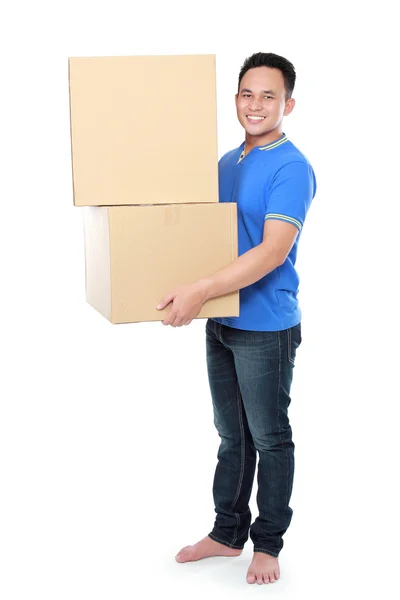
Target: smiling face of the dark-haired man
<point x="261" y="101"/>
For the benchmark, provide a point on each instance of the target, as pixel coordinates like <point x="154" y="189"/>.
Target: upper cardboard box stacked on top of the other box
<point x="143" y="130"/>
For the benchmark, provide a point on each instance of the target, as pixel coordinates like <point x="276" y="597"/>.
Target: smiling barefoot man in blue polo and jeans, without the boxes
<point x="250" y="358"/>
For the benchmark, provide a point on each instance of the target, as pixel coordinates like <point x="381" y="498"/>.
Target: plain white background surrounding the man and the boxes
<point x="107" y="445"/>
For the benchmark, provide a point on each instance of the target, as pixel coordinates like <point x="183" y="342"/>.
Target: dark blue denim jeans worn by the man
<point x="250" y="374"/>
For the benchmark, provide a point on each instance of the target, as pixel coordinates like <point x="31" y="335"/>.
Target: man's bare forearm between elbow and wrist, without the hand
<point x="243" y="271"/>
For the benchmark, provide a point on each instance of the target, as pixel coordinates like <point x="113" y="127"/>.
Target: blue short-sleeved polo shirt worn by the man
<point x="275" y="181"/>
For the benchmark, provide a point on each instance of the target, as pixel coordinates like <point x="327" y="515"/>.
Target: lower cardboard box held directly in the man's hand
<point x="135" y="255"/>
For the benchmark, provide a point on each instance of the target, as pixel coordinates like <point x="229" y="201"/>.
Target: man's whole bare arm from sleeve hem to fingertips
<point x="187" y="301"/>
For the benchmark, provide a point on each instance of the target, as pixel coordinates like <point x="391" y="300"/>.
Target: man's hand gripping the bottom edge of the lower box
<point x="186" y="303"/>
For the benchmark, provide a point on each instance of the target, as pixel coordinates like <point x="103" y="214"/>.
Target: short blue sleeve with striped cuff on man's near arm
<point x="290" y="194"/>
